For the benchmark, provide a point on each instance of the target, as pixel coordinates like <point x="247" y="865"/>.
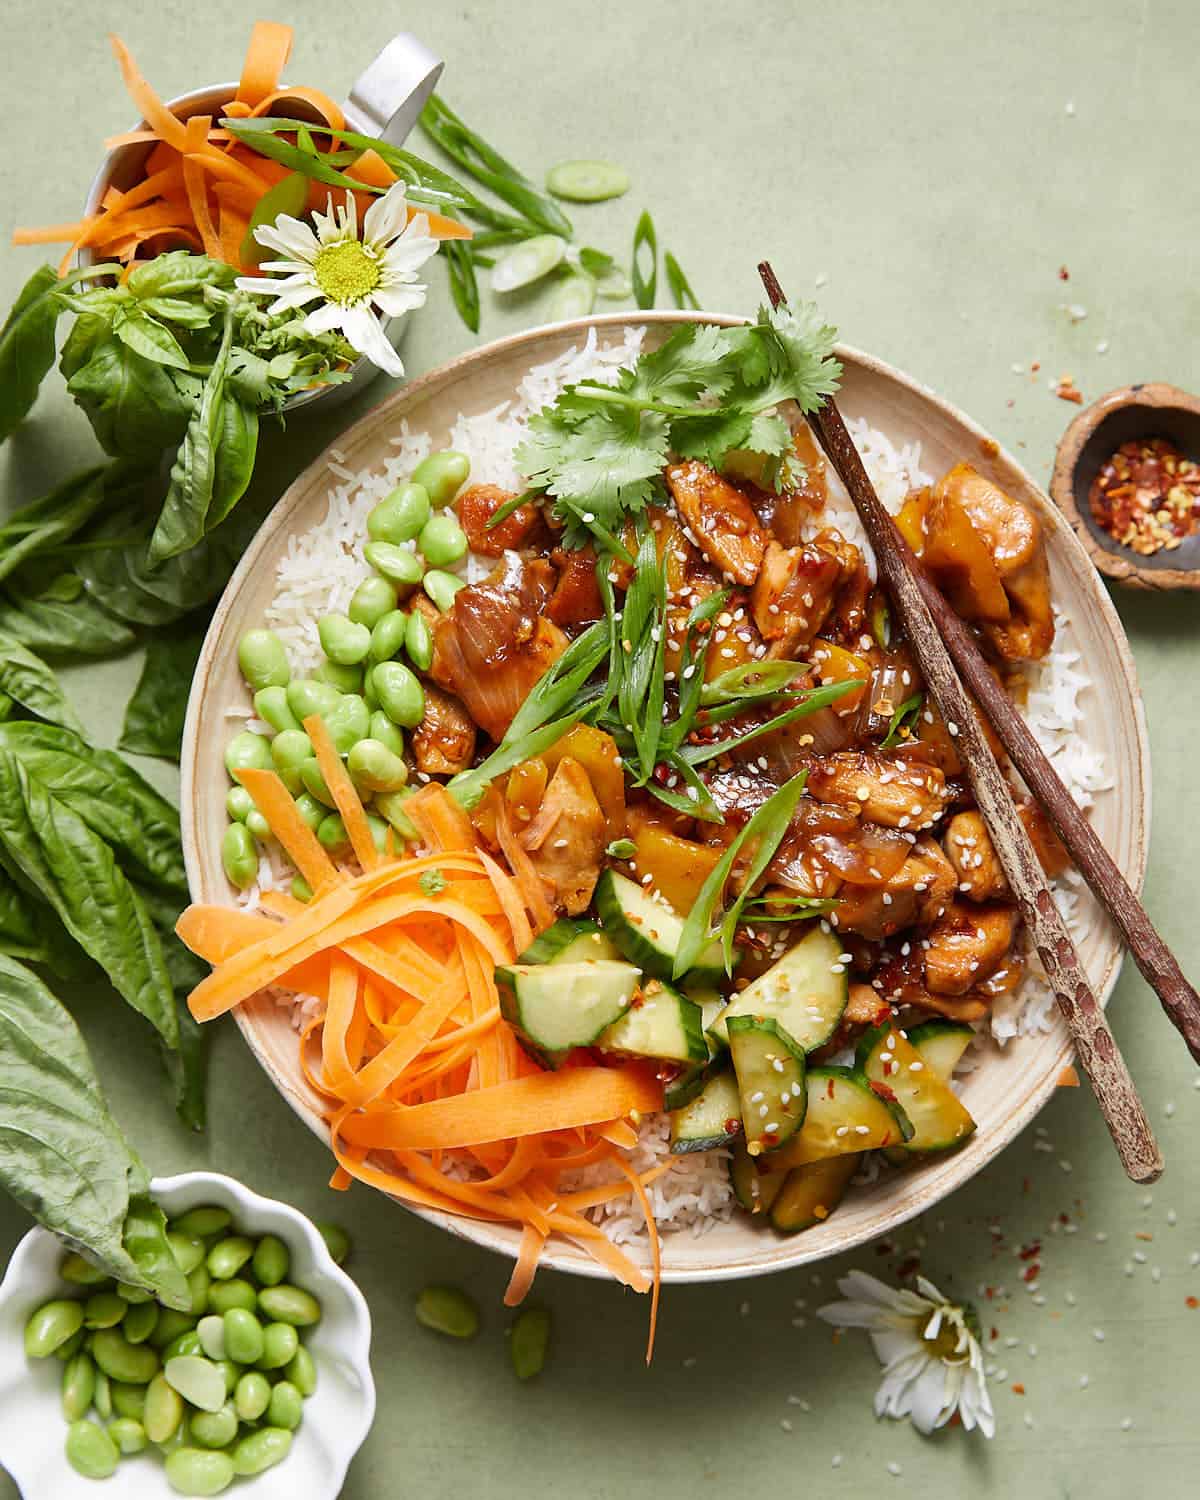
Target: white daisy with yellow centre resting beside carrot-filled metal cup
<point x="359" y="281"/>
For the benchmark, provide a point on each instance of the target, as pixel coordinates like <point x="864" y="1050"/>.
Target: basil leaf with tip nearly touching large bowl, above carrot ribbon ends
<point x="116" y="803"/>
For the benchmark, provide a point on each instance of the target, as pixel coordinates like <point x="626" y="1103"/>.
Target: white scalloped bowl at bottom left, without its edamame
<point x="337" y="1417"/>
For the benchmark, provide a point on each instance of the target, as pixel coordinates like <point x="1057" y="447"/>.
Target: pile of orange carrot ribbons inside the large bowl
<point x="427" y="1093"/>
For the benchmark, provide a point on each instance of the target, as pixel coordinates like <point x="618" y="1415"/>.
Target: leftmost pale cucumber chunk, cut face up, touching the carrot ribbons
<point x="562" y="1006"/>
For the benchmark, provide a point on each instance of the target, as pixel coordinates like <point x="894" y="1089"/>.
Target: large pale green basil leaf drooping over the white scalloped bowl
<point x="62" y="1154"/>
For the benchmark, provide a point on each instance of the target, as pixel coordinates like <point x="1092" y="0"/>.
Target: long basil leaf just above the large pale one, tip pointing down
<point x="71" y="868"/>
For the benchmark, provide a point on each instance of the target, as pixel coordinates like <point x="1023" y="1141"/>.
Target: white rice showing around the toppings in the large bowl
<point x="325" y="566"/>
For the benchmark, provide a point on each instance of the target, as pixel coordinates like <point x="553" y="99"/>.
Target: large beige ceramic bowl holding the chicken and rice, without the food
<point x="1009" y="1090"/>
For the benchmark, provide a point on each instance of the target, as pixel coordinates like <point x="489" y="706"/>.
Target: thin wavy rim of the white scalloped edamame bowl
<point x="218" y="1186"/>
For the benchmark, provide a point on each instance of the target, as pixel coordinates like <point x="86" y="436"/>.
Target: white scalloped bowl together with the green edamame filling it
<point x="268" y="1379"/>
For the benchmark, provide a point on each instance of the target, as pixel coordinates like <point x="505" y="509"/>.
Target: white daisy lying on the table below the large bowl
<point x="929" y="1349"/>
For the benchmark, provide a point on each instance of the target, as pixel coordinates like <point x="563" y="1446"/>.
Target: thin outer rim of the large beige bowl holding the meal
<point x="917" y="1201"/>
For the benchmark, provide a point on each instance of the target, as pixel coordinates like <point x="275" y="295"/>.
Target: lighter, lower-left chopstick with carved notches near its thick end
<point x="1096" y="1045"/>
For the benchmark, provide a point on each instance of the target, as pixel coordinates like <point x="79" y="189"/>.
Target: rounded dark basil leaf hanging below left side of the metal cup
<point x="134" y="406"/>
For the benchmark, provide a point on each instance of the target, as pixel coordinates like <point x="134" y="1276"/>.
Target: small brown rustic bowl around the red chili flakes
<point x="1124" y="416"/>
